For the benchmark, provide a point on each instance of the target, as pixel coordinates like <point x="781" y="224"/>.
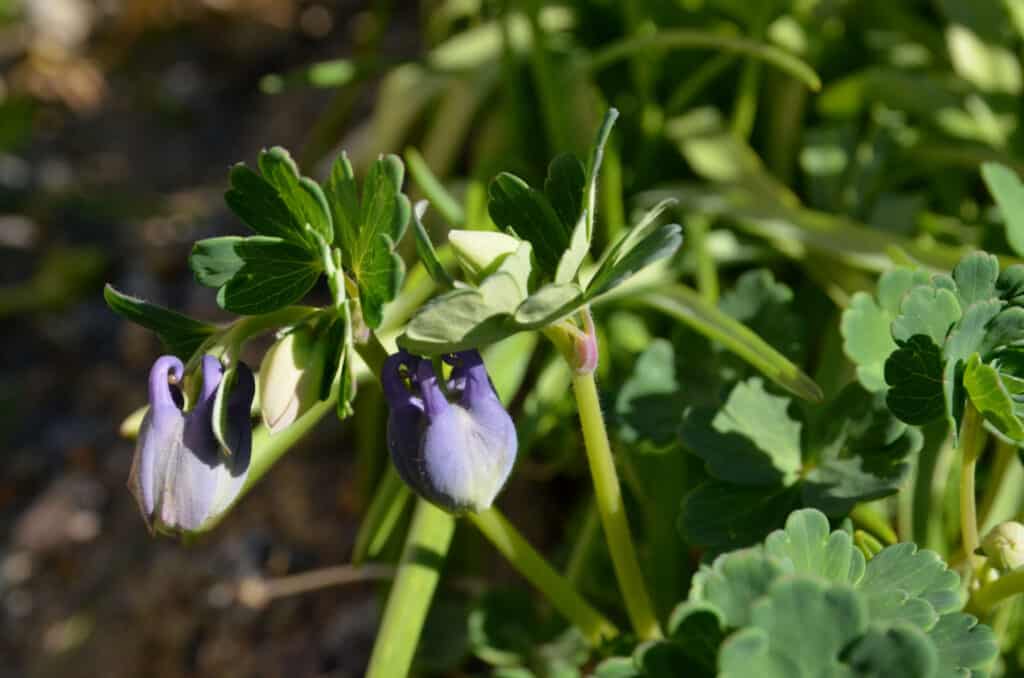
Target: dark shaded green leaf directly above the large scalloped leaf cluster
<point x="722" y="517"/>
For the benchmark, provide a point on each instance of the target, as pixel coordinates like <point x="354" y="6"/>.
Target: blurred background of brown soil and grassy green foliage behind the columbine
<point x="119" y="120"/>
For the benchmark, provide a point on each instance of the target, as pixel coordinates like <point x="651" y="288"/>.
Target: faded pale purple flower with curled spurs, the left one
<point x="182" y="477"/>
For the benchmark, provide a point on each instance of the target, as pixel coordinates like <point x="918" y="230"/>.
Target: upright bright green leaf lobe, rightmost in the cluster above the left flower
<point x="385" y="216"/>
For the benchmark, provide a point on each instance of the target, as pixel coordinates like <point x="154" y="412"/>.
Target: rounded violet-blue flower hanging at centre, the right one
<point x="456" y="454"/>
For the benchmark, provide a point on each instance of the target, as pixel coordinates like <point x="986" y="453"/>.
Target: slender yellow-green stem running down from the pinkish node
<point x="610" y="503"/>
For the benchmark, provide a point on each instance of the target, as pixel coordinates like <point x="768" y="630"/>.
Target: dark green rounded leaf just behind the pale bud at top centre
<point x="527" y="214"/>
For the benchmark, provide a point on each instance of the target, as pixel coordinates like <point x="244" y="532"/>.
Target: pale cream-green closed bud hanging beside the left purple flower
<point x="291" y="376"/>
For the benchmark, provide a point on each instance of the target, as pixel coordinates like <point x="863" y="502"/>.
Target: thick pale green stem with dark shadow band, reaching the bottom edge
<point x="419" y="572"/>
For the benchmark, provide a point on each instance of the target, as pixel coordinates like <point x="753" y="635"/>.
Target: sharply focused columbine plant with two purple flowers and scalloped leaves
<point x="801" y="598"/>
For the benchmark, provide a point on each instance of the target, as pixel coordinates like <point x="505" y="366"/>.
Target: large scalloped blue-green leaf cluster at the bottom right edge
<point x="805" y="603"/>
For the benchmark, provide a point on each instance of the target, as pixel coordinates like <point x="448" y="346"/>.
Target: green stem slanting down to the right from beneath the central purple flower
<point x="537" y="571"/>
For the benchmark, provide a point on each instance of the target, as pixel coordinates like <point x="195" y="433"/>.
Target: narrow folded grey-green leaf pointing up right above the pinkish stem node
<point x="638" y="248"/>
